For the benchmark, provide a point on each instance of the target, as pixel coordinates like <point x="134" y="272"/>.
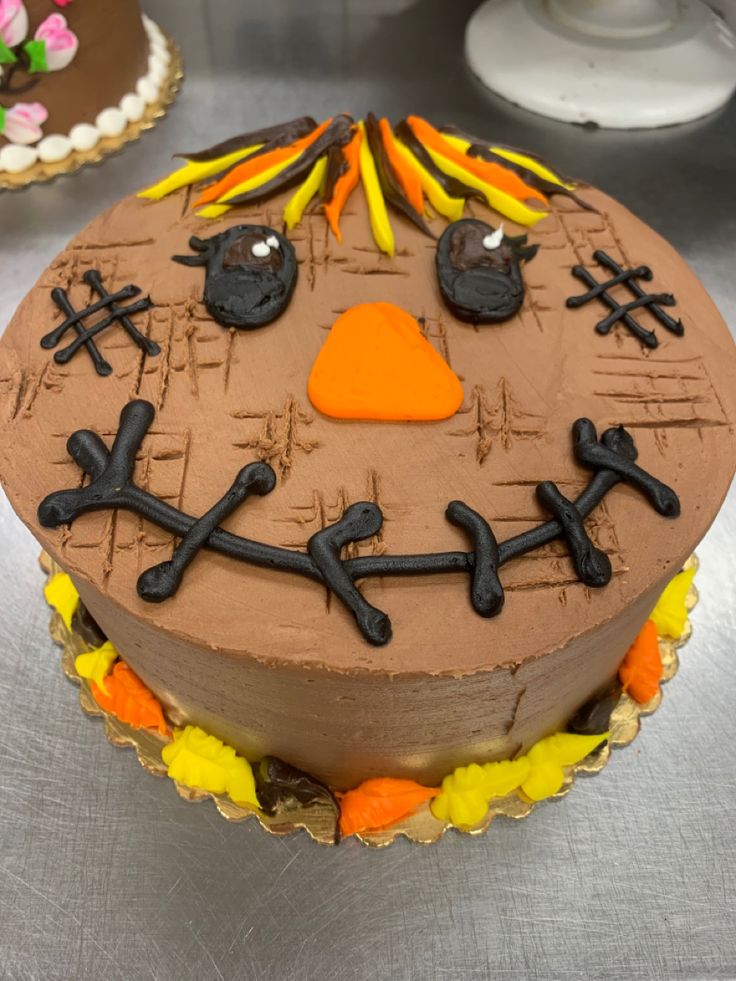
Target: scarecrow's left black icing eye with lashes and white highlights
<point x="251" y="274"/>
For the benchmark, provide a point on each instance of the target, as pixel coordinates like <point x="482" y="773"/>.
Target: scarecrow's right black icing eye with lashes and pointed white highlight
<point x="479" y="271"/>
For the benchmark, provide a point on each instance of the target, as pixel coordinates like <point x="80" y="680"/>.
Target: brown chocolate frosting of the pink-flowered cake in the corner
<point x="112" y="56"/>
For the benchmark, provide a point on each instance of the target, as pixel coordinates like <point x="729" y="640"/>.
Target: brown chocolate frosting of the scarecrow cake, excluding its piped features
<point x="271" y="663"/>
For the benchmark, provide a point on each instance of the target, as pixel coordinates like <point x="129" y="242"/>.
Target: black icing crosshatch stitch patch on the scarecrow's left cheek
<point x="107" y="302"/>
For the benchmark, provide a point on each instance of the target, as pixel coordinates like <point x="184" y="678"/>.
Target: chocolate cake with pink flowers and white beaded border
<point x="72" y="73"/>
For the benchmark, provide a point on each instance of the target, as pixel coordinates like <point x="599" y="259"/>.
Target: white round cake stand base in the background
<point x="623" y="64"/>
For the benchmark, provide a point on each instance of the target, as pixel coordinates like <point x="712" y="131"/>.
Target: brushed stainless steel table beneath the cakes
<point x="106" y="874"/>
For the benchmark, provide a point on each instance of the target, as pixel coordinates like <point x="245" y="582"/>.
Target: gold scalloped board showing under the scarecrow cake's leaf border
<point x="318" y="821"/>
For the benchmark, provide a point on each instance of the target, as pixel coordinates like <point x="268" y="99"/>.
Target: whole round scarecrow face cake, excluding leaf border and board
<point x="386" y="447"/>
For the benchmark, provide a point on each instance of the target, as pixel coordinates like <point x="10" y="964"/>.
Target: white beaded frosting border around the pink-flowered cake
<point x="15" y="158"/>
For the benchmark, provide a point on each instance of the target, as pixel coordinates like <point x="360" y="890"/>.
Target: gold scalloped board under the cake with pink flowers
<point x="41" y="172"/>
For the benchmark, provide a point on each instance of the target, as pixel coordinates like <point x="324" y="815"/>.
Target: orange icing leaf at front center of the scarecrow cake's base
<point x="379" y="803"/>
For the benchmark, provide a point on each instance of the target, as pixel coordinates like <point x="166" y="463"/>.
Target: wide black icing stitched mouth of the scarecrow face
<point x="612" y="458"/>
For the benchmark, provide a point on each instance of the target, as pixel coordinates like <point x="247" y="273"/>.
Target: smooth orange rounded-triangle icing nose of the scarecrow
<point x="376" y="364"/>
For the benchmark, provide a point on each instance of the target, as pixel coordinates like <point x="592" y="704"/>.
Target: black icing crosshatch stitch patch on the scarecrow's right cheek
<point x="652" y="301"/>
